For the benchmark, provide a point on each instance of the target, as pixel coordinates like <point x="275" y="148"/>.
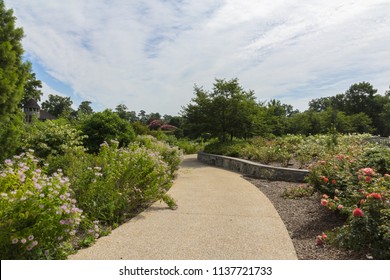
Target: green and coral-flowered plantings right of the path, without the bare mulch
<point x="351" y="174"/>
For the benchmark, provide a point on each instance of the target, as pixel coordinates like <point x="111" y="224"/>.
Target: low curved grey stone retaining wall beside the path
<point x="253" y="169"/>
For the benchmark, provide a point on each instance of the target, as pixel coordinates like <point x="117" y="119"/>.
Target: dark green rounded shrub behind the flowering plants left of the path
<point x="106" y="126"/>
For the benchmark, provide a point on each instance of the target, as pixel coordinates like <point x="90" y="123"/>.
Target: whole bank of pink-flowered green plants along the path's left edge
<point x="40" y="206"/>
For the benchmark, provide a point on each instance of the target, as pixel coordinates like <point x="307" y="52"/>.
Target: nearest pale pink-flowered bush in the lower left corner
<point x="38" y="213"/>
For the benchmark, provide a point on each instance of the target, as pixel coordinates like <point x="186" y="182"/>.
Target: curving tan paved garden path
<point x="220" y="216"/>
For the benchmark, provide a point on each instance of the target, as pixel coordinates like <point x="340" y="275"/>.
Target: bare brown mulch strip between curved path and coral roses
<point x="304" y="218"/>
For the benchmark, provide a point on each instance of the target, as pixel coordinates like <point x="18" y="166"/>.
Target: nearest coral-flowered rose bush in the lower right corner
<point x="368" y="226"/>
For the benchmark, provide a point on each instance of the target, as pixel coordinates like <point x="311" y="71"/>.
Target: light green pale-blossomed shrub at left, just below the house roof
<point x="51" y="137"/>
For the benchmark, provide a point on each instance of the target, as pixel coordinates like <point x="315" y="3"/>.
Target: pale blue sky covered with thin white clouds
<point x="149" y="55"/>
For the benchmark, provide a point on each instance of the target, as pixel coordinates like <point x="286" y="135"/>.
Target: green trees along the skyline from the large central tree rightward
<point x="228" y="111"/>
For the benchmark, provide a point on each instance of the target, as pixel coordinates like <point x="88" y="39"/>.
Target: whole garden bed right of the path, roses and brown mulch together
<point x="346" y="202"/>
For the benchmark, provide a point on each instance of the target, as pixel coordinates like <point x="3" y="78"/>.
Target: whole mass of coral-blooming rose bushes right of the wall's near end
<point x="356" y="190"/>
